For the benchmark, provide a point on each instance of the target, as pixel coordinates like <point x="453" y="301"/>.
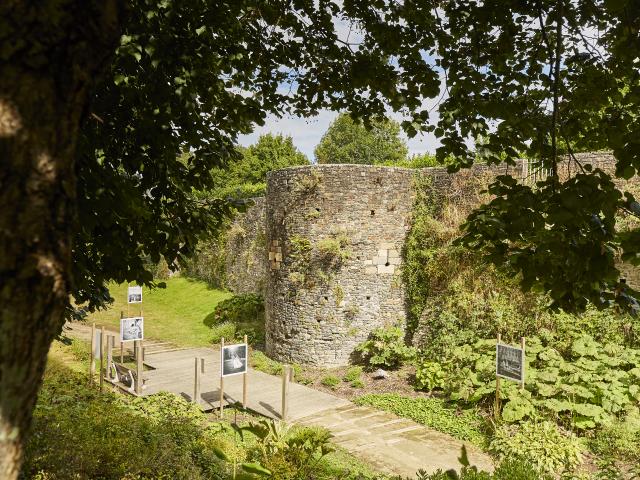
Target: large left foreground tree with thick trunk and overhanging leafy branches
<point x="97" y="101"/>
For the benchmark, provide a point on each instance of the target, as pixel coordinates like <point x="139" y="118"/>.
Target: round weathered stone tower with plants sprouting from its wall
<point x="334" y="235"/>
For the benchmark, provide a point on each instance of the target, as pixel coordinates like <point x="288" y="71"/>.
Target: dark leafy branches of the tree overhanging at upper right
<point x="537" y="78"/>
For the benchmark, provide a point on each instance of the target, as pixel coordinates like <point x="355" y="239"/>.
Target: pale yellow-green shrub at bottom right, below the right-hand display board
<point x="541" y="444"/>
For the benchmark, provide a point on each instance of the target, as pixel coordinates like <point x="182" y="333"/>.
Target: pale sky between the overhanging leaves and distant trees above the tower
<point x="307" y="132"/>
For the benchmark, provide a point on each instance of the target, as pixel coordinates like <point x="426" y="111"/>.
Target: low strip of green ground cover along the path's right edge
<point x="432" y="412"/>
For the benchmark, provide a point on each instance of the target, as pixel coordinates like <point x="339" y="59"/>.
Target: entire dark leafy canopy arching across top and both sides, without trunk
<point x="521" y="79"/>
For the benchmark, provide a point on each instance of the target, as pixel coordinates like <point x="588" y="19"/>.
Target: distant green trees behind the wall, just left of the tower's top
<point x="246" y="176"/>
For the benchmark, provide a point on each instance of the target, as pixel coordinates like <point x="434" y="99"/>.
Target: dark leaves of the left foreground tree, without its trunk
<point x="190" y="76"/>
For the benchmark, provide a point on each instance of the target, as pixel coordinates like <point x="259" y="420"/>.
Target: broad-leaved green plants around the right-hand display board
<point x="589" y="388"/>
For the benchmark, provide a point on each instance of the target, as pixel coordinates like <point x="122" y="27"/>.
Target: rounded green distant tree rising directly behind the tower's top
<point x="347" y="141"/>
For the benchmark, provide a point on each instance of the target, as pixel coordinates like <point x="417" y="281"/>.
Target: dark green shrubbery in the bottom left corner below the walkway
<point x="82" y="434"/>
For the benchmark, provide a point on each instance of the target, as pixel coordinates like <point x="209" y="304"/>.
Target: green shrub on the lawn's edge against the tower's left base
<point x="238" y="316"/>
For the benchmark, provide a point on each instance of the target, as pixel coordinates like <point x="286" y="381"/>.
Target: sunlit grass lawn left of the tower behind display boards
<point x="173" y="314"/>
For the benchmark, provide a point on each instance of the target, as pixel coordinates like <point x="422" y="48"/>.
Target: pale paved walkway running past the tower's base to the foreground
<point x="390" y="443"/>
